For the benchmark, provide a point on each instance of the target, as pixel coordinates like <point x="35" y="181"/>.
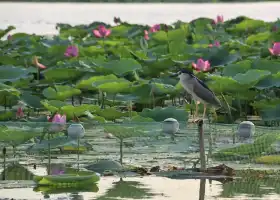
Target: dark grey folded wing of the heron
<point x="203" y="92"/>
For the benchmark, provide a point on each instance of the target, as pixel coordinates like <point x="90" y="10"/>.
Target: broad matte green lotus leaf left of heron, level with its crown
<point x="120" y="67"/>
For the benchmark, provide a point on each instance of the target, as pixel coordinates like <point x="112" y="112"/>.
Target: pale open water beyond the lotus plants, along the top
<point x="41" y="17"/>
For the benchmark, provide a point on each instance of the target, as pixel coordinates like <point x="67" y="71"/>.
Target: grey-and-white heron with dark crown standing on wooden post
<point x="198" y="90"/>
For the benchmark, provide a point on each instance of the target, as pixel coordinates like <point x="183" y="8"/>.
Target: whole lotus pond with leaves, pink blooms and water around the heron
<point x="115" y="81"/>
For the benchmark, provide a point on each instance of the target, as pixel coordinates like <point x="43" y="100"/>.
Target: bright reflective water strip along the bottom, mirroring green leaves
<point x="114" y="188"/>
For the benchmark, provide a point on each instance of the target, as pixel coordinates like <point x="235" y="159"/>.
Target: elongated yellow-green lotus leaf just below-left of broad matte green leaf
<point x="91" y="83"/>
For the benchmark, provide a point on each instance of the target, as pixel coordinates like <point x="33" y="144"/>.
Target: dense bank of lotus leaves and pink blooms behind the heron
<point x="127" y="66"/>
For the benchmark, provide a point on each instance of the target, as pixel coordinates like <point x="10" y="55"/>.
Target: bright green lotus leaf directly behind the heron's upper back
<point x="220" y="84"/>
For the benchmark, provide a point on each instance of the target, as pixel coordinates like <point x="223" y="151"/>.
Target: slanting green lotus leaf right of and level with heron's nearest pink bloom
<point x="238" y="67"/>
